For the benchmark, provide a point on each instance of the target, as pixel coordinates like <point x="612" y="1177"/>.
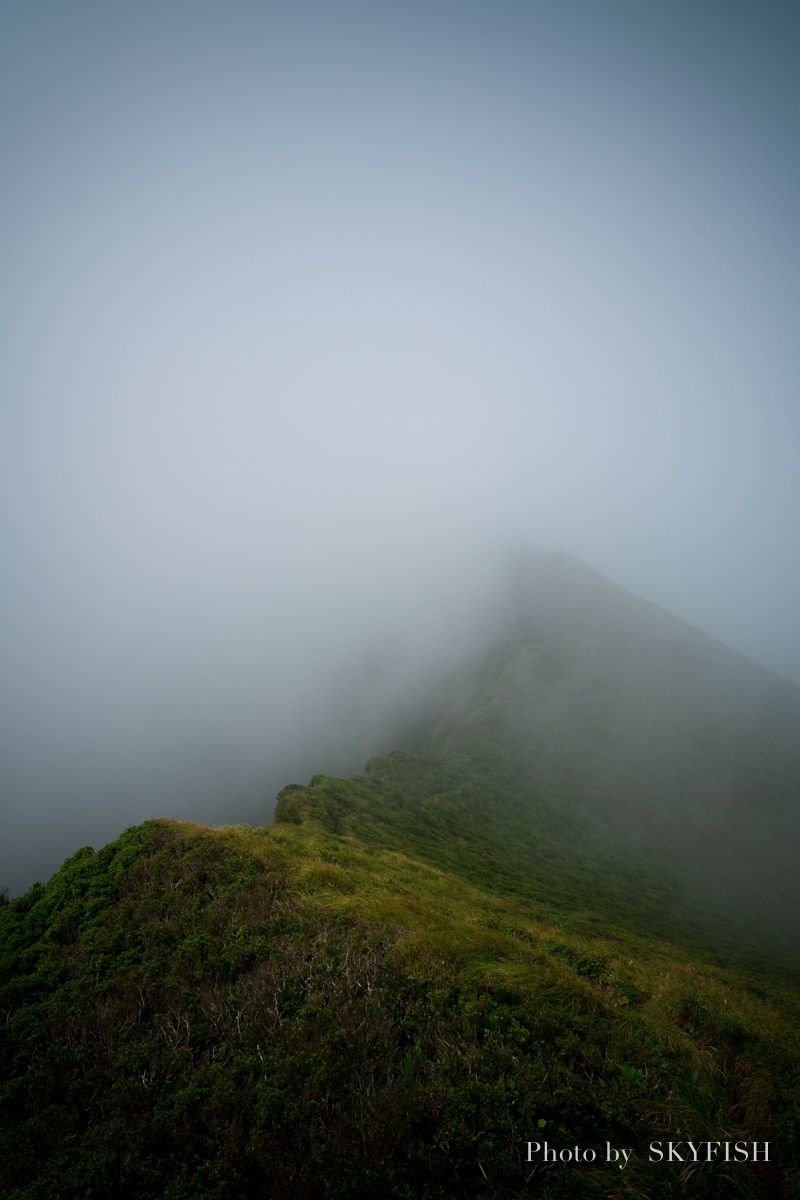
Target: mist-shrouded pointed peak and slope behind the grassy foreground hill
<point x="599" y="747"/>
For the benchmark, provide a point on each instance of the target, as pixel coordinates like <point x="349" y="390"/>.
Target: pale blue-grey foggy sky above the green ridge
<point x="311" y="313"/>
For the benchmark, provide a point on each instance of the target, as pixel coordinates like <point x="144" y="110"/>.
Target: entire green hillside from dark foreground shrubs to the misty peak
<point x="564" y="911"/>
